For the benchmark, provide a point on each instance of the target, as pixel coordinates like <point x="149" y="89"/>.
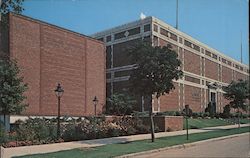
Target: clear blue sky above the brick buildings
<point x="217" y="23"/>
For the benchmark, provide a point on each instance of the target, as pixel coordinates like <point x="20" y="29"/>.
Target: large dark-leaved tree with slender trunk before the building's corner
<point x="155" y="70"/>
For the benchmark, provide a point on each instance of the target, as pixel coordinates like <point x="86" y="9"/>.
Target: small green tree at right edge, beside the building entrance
<point x="237" y="92"/>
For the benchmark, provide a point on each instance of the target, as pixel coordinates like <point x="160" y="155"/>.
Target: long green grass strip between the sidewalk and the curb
<point x="137" y="146"/>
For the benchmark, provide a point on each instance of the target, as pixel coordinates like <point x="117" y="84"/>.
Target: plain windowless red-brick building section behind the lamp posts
<point x="48" y="55"/>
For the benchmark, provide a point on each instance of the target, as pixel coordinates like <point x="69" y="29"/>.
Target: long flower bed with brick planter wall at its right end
<point x="35" y="131"/>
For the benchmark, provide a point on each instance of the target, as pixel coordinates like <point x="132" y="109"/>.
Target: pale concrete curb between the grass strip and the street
<point x="181" y="146"/>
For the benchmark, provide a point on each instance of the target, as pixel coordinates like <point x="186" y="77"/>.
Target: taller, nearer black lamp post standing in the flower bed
<point x="59" y="92"/>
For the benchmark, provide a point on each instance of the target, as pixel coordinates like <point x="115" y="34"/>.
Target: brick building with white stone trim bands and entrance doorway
<point x="206" y="70"/>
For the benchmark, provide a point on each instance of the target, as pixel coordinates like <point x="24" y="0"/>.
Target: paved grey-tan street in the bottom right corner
<point x="237" y="147"/>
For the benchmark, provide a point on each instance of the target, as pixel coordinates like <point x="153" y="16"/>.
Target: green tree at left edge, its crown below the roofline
<point x="12" y="88"/>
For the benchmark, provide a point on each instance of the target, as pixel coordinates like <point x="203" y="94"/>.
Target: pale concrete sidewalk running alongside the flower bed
<point x="47" y="148"/>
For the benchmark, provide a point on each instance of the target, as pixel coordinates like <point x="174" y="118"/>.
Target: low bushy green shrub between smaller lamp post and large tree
<point x="120" y="104"/>
